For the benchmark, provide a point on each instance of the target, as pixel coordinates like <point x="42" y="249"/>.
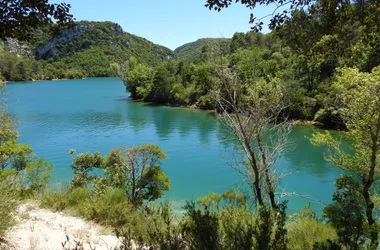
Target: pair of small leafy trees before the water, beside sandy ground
<point x="136" y="170"/>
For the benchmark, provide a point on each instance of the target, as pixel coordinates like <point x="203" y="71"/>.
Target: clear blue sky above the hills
<point x="167" y="22"/>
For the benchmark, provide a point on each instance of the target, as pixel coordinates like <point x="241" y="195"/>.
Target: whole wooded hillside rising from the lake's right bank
<point x="302" y="56"/>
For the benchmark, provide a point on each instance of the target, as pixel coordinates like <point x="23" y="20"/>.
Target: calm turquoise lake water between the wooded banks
<point x="95" y="115"/>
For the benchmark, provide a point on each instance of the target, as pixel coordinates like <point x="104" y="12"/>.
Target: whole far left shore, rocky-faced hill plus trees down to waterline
<point x="87" y="49"/>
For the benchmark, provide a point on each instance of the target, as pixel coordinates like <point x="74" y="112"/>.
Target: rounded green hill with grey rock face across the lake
<point x="93" y="46"/>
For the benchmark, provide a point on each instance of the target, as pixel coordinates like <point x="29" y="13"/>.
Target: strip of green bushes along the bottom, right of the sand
<point x="213" y="222"/>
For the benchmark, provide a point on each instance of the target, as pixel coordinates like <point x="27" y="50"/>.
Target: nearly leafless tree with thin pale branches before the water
<point x="253" y="115"/>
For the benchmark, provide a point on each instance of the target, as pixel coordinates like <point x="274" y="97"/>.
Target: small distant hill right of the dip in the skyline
<point x="190" y="52"/>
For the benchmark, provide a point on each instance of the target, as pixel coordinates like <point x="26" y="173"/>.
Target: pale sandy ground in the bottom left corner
<point x="40" y="229"/>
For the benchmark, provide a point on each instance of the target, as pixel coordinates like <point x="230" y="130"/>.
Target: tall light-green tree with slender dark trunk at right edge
<point x="358" y="103"/>
